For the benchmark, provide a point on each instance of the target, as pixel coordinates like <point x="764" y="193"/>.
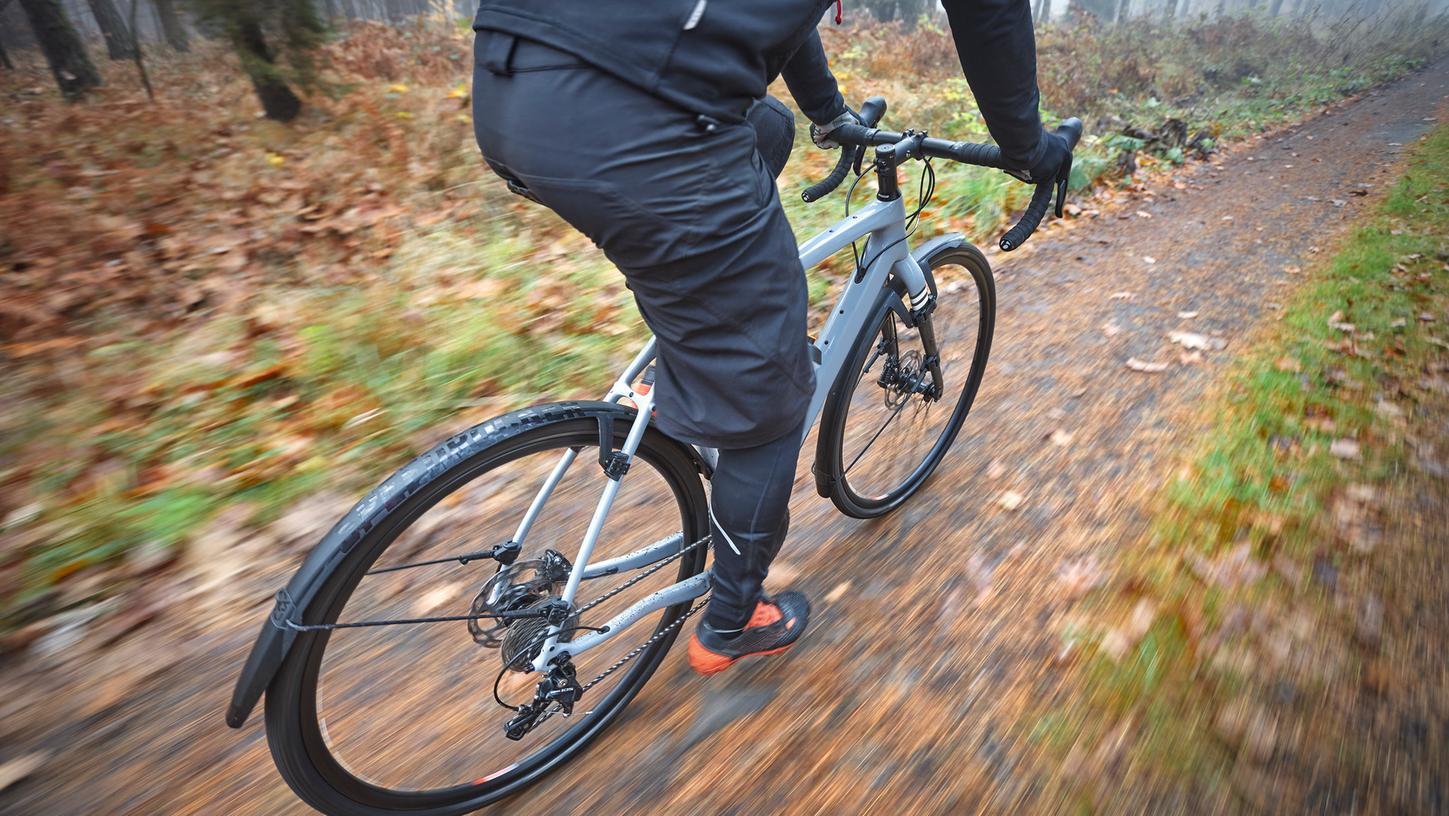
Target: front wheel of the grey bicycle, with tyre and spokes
<point x="898" y="407"/>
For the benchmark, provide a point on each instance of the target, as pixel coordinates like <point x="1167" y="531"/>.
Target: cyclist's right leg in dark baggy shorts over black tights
<point x="689" y="212"/>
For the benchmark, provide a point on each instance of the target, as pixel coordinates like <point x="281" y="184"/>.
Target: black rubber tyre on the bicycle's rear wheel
<point x="299" y="741"/>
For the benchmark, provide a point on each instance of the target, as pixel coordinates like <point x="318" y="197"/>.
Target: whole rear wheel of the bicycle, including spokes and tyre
<point x="402" y="720"/>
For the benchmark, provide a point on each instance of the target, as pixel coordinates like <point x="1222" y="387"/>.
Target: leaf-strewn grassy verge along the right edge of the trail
<point x="1292" y="567"/>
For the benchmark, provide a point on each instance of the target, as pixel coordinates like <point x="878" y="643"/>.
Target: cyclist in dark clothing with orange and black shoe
<point x="647" y="127"/>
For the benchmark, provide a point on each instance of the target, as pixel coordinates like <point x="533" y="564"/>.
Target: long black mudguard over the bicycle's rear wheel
<point x="293" y="602"/>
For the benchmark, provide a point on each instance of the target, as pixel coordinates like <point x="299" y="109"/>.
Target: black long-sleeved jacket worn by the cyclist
<point x="718" y="57"/>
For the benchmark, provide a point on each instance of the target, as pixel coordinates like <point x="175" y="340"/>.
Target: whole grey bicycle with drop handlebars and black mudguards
<point x="890" y="344"/>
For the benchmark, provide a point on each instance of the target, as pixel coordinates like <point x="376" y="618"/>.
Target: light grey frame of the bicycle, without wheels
<point x="888" y="256"/>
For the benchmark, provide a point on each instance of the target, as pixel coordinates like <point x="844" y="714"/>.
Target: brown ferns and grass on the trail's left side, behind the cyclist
<point x="206" y="309"/>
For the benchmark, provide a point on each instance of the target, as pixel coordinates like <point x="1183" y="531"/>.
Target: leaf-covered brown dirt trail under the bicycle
<point x="905" y="696"/>
